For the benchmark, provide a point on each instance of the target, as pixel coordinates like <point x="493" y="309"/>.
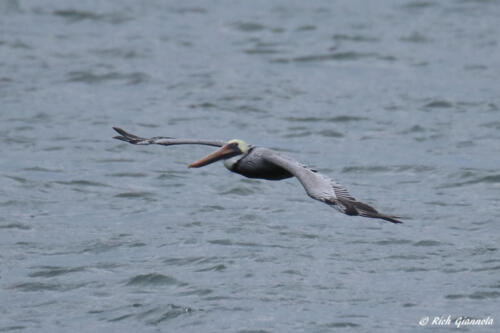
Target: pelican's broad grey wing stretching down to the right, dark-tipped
<point x="324" y="189"/>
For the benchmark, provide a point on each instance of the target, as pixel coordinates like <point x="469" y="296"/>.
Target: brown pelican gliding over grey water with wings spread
<point x="264" y="163"/>
